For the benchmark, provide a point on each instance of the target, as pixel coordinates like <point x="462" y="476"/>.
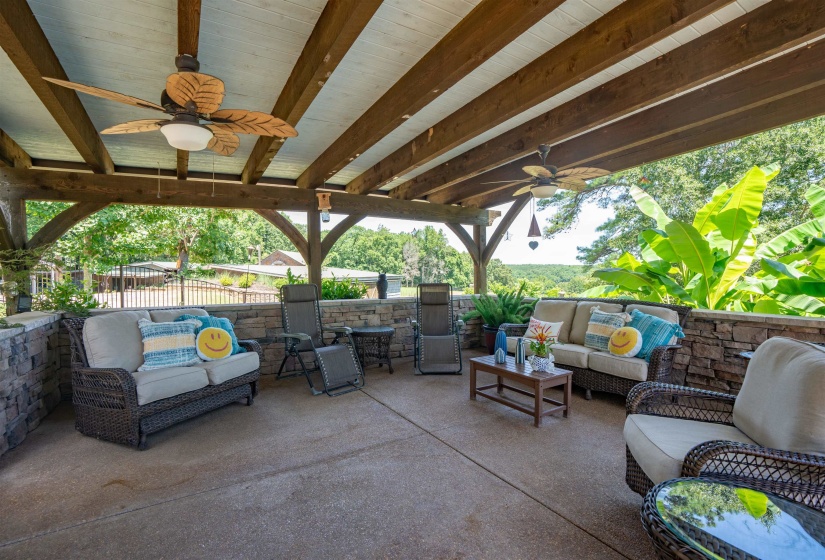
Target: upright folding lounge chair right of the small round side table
<point x="437" y="344"/>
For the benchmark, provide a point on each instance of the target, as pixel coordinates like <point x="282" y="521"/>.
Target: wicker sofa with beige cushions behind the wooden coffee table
<point x="601" y="371"/>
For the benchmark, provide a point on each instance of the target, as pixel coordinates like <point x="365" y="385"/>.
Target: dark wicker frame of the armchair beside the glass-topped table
<point x="797" y="476"/>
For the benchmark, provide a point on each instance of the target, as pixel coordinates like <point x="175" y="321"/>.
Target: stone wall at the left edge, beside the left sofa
<point x="29" y="367"/>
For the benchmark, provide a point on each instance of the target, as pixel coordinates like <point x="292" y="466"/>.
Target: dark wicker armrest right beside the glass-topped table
<point x="797" y="476"/>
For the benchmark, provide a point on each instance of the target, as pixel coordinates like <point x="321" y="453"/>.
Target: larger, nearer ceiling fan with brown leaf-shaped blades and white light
<point x="191" y="97"/>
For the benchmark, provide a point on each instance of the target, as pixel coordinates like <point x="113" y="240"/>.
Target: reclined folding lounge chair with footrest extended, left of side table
<point x="303" y="334"/>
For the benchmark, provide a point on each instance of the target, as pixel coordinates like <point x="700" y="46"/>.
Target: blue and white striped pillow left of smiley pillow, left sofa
<point x="168" y="344"/>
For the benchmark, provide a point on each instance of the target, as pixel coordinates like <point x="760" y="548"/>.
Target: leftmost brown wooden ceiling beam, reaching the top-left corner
<point x="28" y="48"/>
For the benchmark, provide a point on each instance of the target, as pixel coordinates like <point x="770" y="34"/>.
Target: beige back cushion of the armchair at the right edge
<point x="781" y="401"/>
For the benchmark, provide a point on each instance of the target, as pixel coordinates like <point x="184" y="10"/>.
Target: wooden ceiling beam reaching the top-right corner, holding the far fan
<point x="763" y="32"/>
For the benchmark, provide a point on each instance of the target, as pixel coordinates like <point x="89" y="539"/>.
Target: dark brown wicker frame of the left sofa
<point x="105" y="399"/>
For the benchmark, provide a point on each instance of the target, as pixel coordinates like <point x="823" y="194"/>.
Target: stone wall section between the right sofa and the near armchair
<point x="714" y="339"/>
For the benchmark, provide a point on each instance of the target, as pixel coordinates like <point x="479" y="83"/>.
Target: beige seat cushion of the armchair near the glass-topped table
<point x="659" y="444"/>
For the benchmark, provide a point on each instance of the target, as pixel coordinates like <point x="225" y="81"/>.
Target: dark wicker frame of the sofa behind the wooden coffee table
<point x="661" y="359"/>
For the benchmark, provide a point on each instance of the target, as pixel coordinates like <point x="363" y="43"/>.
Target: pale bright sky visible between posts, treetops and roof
<point x="560" y="250"/>
